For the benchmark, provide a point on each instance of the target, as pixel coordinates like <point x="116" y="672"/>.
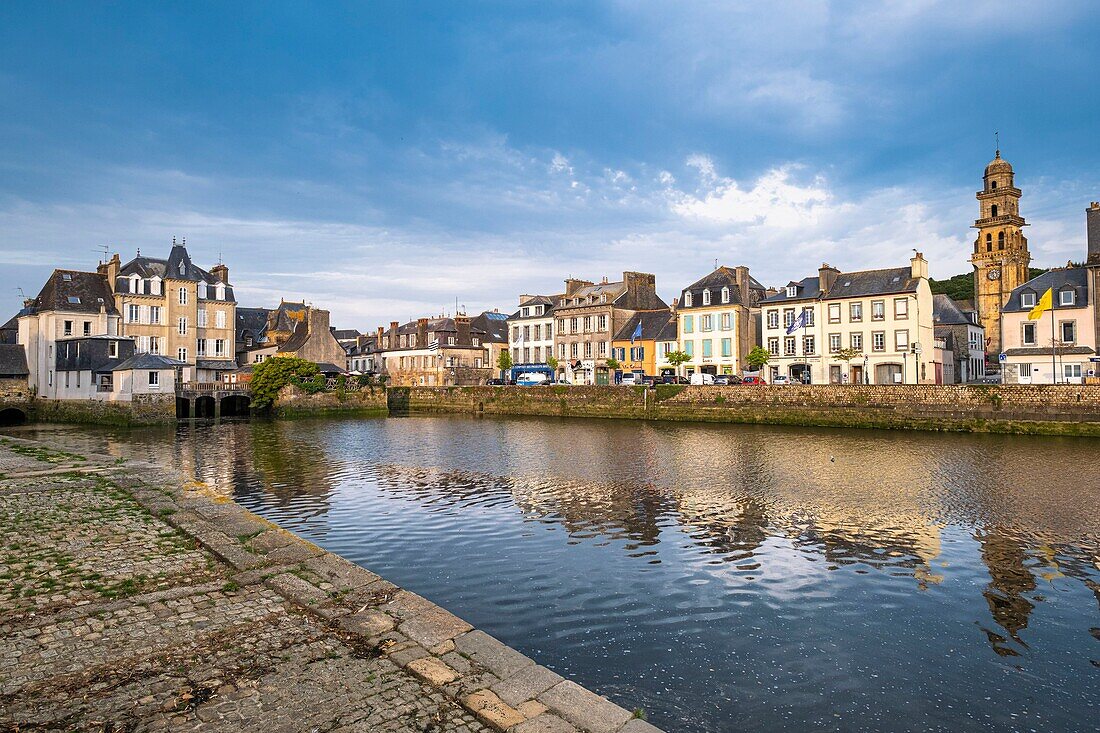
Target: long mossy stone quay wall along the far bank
<point x="1050" y="410"/>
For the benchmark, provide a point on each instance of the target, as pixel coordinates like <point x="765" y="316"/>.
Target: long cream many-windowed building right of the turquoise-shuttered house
<point x="868" y="327"/>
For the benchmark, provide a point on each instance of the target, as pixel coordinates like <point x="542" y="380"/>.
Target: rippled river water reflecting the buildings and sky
<point x="721" y="577"/>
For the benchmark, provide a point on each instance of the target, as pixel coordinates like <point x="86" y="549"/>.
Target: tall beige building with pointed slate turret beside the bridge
<point x="173" y="308"/>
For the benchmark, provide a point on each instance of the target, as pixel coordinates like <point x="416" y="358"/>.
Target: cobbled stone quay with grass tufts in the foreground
<point x="134" y="600"/>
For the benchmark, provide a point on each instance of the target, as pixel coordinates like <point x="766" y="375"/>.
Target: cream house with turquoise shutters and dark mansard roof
<point x="716" y="321"/>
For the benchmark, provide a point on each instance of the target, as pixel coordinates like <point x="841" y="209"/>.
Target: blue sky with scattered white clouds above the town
<point x="383" y="160"/>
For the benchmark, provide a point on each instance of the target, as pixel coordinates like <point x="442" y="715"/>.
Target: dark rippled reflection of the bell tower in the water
<point x="1010" y="581"/>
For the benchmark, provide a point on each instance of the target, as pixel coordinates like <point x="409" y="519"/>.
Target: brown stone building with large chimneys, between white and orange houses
<point x="589" y="315"/>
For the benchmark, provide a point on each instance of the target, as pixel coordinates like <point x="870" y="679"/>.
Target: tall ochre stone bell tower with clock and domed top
<point x="1000" y="254"/>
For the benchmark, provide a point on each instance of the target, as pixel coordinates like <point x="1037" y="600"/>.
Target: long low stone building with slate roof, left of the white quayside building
<point x="434" y="353"/>
